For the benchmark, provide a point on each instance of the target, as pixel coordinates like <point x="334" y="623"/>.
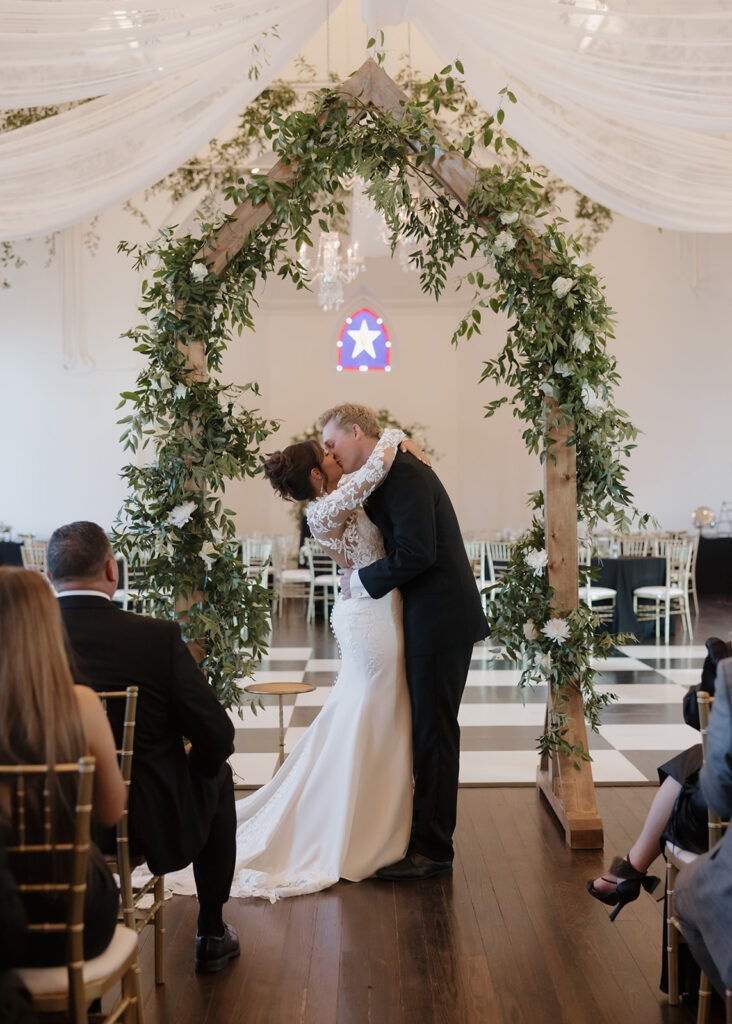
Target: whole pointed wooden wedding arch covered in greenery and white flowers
<point x="555" y="361"/>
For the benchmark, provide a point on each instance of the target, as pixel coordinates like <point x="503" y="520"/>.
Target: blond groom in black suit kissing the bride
<point x="426" y="560"/>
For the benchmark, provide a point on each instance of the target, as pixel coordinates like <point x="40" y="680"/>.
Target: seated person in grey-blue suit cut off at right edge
<point x="704" y="889"/>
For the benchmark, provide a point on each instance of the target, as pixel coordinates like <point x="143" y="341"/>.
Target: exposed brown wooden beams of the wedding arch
<point x="570" y="790"/>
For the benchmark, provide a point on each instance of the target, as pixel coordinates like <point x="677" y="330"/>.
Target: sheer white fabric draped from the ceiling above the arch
<point x="628" y="101"/>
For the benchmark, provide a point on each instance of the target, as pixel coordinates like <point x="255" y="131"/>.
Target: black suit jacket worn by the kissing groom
<point x="425" y="559"/>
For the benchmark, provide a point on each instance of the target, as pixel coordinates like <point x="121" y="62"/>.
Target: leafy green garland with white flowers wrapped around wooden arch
<point x="522" y="265"/>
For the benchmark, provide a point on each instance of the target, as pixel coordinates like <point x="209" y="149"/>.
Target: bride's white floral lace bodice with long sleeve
<point x="337" y="521"/>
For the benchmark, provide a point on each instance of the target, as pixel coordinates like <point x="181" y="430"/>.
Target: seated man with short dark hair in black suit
<point x="182" y="807"/>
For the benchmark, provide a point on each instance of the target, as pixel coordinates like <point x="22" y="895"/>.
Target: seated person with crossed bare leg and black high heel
<point x="678" y="814"/>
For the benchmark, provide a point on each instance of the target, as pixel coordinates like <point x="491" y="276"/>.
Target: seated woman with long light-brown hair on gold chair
<point x="46" y="719"/>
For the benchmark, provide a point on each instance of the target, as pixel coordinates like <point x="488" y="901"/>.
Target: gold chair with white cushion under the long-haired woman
<point x="45" y="862"/>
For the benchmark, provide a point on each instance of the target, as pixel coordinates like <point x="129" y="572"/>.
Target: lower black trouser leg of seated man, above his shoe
<point x="213" y="868"/>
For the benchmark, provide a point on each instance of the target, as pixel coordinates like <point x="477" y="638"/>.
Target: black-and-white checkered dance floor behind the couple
<point x="499" y="723"/>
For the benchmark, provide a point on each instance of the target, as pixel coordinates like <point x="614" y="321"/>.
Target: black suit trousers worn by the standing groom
<point x="437" y="684"/>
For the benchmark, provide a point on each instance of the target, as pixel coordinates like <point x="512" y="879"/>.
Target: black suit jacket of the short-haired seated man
<point x="173" y="796"/>
